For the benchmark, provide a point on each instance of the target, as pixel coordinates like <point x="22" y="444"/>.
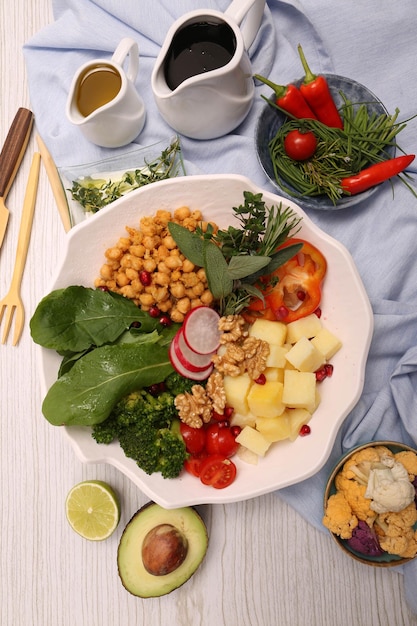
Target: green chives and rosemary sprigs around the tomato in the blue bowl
<point x="364" y="140"/>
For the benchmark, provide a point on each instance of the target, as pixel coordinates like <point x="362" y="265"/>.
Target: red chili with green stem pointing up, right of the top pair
<point x="317" y="94"/>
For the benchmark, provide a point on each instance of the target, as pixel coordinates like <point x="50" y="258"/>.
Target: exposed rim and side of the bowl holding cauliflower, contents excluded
<point x="385" y="560"/>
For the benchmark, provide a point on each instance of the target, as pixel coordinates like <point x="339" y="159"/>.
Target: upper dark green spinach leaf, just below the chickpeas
<point x="75" y="318"/>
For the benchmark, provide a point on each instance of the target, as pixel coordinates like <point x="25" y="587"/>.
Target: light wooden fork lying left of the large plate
<point x="12" y="302"/>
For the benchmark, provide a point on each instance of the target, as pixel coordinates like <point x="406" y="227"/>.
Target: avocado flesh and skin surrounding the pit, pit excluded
<point x="132" y="572"/>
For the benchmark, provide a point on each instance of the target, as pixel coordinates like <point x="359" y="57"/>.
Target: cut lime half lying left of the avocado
<point x="93" y="509"/>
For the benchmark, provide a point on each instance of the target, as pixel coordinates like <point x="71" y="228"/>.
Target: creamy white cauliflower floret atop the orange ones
<point x="389" y="487"/>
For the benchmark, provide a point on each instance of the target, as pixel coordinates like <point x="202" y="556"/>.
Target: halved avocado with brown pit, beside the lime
<point x="160" y="549"/>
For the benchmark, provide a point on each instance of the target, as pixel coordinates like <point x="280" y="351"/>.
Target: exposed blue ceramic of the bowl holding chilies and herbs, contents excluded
<point x="271" y="119"/>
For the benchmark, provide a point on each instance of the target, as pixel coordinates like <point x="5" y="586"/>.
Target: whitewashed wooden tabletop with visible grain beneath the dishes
<point x="265" y="565"/>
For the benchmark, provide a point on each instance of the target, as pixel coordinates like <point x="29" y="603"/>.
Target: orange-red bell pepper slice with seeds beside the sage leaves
<point x="298" y="291"/>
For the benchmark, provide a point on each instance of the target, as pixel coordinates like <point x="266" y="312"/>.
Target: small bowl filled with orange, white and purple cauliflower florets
<point x="370" y="503"/>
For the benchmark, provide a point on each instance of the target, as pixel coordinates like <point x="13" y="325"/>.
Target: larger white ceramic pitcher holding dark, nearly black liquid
<point x="206" y="103"/>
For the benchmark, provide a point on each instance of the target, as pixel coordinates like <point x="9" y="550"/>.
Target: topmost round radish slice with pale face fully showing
<point x="201" y="330"/>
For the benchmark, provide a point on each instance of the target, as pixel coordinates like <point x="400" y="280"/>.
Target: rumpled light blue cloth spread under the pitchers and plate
<point x="372" y="42"/>
